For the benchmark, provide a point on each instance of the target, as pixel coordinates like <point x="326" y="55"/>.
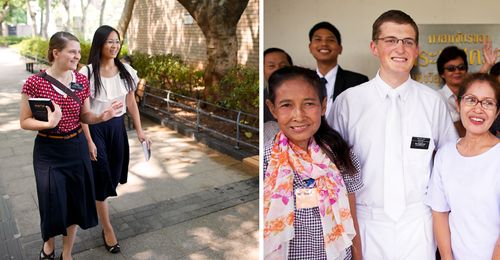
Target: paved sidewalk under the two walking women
<point x="187" y="202"/>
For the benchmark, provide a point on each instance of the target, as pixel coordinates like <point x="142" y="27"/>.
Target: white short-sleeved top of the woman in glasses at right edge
<point x="468" y="188"/>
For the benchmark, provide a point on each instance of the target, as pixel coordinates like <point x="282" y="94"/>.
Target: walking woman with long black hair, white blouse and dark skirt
<point x="110" y="80"/>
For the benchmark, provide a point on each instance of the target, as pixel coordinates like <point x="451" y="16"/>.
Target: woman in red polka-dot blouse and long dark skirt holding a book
<point x="60" y="157"/>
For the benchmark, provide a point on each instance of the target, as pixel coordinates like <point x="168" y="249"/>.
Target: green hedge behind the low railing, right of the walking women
<point x="238" y="90"/>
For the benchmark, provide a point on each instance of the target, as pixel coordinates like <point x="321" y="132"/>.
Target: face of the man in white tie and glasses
<point x="395" y="61"/>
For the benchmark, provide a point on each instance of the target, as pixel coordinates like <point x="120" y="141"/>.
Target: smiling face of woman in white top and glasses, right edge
<point x="476" y="119"/>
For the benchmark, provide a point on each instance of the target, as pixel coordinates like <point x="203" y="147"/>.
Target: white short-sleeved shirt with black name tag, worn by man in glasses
<point x="360" y="115"/>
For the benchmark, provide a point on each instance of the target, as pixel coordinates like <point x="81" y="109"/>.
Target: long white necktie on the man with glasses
<point x="394" y="186"/>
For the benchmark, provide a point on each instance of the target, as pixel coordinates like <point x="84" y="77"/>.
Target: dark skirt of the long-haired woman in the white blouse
<point x="113" y="155"/>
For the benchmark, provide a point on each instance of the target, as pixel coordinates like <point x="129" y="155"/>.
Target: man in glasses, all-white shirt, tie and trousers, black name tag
<point x="394" y="125"/>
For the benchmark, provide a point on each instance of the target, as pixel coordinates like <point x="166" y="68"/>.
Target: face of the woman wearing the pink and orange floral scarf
<point x="298" y="110"/>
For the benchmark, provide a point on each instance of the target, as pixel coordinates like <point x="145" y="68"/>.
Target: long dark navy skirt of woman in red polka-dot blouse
<point x="64" y="183"/>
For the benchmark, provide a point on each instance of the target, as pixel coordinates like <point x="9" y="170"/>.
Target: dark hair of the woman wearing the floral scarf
<point x="328" y="139"/>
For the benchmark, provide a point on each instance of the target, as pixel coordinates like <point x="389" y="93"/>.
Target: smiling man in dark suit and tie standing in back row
<point x="325" y="46"/>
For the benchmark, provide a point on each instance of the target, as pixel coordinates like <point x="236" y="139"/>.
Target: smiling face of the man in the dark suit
<point x="324" y="46"/>
